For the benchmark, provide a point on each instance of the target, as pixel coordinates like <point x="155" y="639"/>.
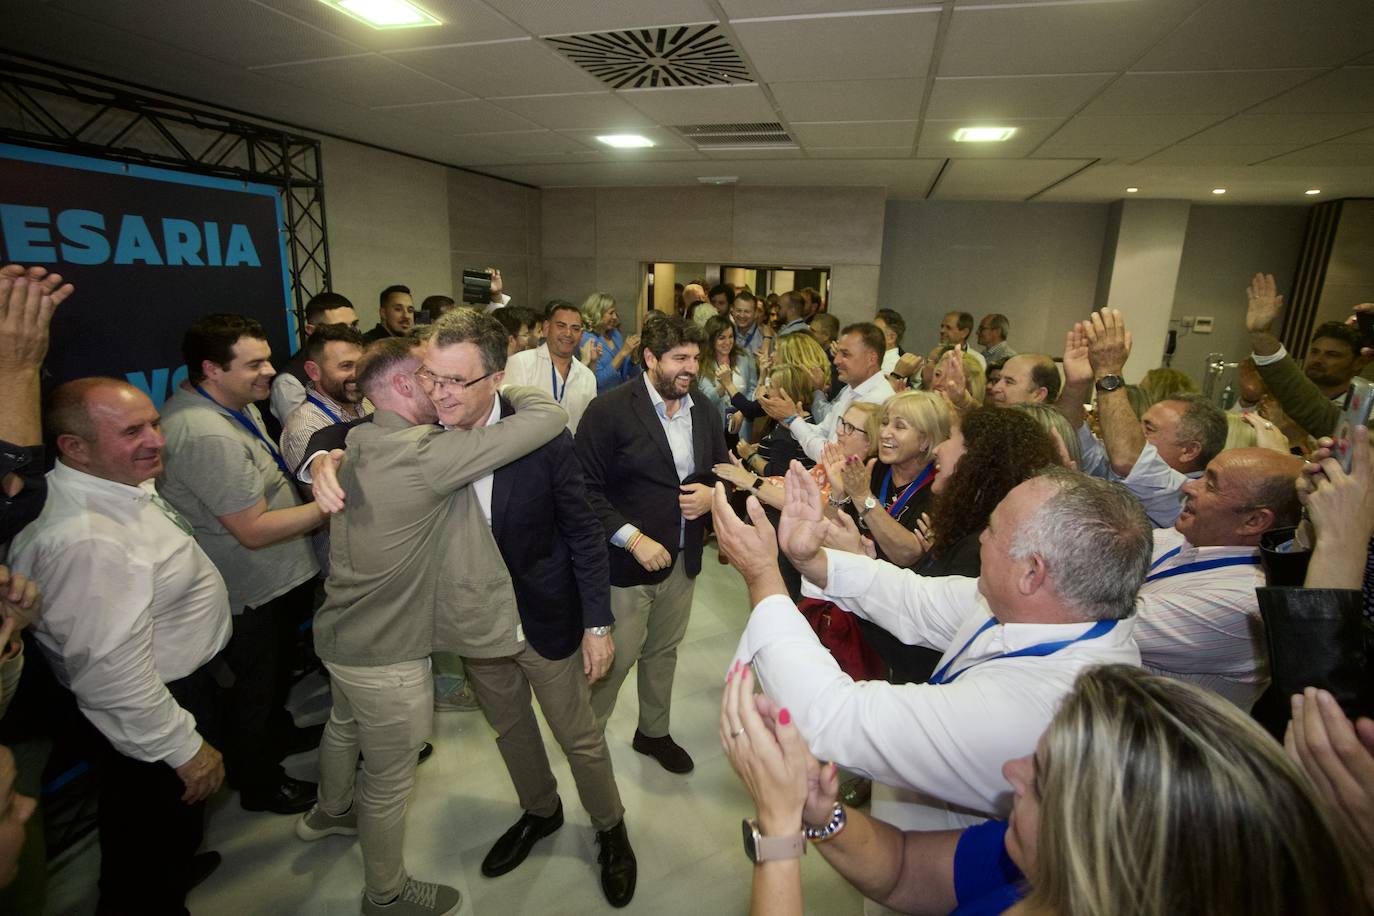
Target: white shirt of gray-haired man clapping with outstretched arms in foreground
<point x="946" y="742"/>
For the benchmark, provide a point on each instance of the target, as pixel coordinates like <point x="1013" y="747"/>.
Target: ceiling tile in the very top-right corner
<point x="1241" y="35"/>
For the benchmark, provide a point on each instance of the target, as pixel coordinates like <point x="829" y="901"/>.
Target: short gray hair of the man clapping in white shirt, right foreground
<point x="1096" y="542"/>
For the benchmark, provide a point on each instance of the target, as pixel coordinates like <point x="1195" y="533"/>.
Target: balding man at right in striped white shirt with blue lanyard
<point x="1199" y="617"/>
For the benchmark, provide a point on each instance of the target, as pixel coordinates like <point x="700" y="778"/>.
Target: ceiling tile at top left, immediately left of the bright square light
<point x="245" y="35"/>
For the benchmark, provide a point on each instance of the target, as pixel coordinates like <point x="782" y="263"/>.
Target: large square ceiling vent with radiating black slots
<point x="644" y="58"/>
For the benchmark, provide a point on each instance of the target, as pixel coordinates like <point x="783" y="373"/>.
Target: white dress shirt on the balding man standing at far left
<point x="131" y="604"/>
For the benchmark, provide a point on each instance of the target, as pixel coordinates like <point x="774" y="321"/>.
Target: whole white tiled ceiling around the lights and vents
<point x="1266" y="98"/>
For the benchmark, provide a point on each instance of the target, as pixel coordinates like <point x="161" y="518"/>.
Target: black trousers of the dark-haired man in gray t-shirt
<point x="259" y="654"/>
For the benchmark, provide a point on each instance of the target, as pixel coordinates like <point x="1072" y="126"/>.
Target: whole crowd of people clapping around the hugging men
<point x="1031" y="609"/>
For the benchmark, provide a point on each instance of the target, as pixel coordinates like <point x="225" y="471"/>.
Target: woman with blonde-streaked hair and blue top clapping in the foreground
<point x="1145" y="797"/>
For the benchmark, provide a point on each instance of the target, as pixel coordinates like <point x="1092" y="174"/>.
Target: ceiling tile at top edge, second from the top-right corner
<point x="1077" y="38"/>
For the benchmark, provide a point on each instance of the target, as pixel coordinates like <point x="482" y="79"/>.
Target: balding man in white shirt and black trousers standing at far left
<point x="135" y="612"/>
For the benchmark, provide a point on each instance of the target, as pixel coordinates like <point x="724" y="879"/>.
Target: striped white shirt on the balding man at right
<point x="1204" y="627"/>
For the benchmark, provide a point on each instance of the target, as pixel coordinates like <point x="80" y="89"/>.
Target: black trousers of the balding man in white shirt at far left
<point x="148" y="834"/>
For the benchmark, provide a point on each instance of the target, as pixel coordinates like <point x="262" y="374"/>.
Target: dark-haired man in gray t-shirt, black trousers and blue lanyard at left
<point x="225" y="474"/>
